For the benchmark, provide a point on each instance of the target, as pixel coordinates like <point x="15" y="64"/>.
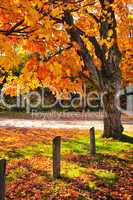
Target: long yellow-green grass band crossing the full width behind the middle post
<point x="79" y="146"/>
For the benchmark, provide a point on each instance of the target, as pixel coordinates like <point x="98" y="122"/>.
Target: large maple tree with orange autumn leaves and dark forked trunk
<point x="67" y="41"/>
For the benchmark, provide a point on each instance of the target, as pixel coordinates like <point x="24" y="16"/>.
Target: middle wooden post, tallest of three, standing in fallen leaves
<point x="56" y="156"/>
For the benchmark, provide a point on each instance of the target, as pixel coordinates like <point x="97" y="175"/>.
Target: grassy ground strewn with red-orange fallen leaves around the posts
<point x="108" y="175"/>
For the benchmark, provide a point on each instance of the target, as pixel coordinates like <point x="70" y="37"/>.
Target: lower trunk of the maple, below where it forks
<point x="112" y="116"/>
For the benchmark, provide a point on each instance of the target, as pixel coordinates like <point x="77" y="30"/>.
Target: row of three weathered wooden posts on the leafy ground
<point x="56" y="161"/>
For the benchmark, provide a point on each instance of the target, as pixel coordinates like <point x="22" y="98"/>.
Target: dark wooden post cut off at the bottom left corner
<point x="2" y="178"/>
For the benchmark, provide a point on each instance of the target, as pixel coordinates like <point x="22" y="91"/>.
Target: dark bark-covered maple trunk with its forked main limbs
<point x="108" y="78"/>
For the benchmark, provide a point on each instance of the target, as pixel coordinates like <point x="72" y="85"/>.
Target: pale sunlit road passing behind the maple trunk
<point x="28" y="123"/>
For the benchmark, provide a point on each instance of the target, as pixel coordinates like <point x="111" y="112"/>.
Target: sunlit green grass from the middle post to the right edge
<point x="107" y="146"/>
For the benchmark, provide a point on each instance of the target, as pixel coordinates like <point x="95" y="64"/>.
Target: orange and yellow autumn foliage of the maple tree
<point x="39" y="28"/>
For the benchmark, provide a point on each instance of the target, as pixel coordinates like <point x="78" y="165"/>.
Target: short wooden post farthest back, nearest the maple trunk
<point x="92" y="141"/>
